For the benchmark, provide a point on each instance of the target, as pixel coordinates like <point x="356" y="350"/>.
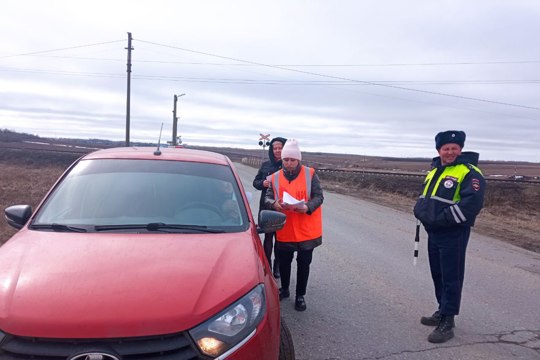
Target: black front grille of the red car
<point x="166" y="347"/>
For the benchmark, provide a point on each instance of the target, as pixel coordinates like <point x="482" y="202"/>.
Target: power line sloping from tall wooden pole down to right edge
<point x="346" y="79"/>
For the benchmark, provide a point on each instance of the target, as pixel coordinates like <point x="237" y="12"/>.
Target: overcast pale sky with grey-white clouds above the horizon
<point x="375" y="77"/>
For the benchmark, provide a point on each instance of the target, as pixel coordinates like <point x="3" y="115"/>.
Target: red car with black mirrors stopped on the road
<point x="138" y="253"/>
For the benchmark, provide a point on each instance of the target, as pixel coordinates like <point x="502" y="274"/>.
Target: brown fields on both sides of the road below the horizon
<point x="511" y="212"/>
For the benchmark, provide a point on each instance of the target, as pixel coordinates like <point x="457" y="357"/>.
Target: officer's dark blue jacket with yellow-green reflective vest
<point x="453" y="194"/>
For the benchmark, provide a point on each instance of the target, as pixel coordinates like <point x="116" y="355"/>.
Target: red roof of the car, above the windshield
<point x="150" y="153"/>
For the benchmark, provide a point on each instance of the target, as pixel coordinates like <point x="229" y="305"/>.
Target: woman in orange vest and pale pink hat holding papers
<point x="296" y="191"/>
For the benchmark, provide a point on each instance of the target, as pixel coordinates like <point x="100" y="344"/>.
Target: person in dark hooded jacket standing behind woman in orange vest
<point x="262" y="183"/>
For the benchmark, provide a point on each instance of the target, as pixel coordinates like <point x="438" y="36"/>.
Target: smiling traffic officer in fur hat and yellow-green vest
<point x="453" y="196"/>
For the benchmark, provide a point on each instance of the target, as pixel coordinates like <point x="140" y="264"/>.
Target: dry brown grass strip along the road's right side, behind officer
<point x="511" y="212"/>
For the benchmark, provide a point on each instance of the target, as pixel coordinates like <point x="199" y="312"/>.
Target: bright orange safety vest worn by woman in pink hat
<point x="298" y="227"/>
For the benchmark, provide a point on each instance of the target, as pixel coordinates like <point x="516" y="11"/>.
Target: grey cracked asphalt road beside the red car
<point x="365" y="298"/>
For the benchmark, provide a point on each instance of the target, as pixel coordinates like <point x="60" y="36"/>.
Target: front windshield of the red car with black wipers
<point x="124" y="195"/>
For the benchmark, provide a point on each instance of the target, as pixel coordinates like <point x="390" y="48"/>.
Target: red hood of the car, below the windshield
<point x="117" y="285"/>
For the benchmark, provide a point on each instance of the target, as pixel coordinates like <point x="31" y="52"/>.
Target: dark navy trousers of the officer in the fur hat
<point x="446" y="251"/>
